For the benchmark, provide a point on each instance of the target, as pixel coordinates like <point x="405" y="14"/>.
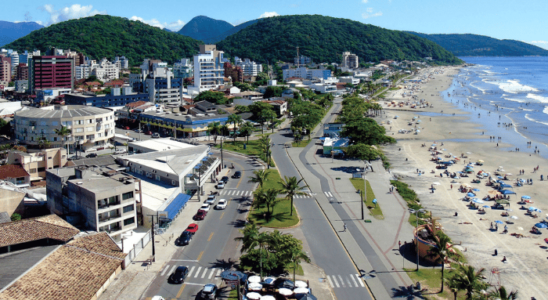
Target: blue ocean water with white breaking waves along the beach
<point x="502" y="90"/>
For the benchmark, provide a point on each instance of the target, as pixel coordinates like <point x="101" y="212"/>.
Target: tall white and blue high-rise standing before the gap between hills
<point x="208" y="70"/>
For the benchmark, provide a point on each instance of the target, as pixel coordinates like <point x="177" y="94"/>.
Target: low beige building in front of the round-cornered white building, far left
<point x="37" y="163"/>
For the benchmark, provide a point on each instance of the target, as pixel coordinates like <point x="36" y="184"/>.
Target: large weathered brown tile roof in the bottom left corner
<point x="76" y="271"/>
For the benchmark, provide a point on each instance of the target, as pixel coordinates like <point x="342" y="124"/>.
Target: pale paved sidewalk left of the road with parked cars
<point x="137" y="277"/>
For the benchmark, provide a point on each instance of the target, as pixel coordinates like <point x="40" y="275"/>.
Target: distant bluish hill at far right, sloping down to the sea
<point x="479" y="45"/>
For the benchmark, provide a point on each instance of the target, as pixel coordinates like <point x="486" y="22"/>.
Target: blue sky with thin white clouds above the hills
<point x="503" y="19"/>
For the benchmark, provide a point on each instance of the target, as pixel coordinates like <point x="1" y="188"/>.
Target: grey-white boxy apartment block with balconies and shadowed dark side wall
<point x="102" y="198"/>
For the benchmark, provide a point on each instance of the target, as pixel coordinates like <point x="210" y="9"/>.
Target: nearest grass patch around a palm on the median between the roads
<point x="279" y="219"/>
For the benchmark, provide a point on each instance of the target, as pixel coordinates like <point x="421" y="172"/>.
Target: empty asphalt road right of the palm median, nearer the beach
<point x="326" y="248"/>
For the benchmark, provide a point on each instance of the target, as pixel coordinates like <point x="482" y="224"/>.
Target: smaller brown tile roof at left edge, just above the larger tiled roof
<point x="27" y="230"/>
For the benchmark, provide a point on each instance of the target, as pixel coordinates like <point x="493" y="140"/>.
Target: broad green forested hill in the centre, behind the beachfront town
<point x="325" y="38"/>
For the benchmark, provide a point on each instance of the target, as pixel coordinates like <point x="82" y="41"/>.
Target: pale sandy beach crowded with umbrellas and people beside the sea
<point x="527" y="262"/>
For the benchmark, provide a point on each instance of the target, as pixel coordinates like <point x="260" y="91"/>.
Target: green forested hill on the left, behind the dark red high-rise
<point x="106" y="36"/>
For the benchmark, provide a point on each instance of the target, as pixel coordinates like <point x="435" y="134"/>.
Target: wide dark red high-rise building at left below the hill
<point x="51" y="72"/>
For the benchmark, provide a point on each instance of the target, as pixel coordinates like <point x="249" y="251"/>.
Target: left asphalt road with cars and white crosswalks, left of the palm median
<point x="213" y="248"/>
